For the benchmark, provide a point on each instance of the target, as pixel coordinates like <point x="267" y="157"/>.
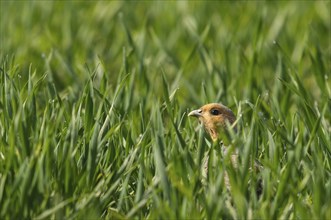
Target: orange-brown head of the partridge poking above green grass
<point x="213" y="116"/>
